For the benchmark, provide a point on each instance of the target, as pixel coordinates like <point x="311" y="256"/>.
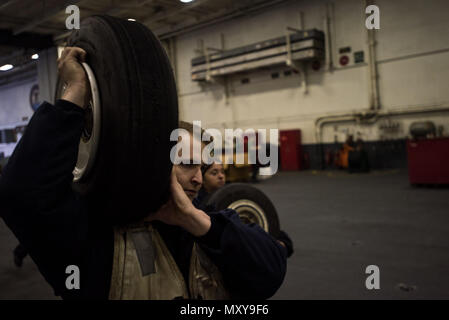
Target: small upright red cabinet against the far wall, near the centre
<point x="290" y="149"/>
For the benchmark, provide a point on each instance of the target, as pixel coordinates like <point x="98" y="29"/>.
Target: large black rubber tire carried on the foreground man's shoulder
<point x="130" y="177"/>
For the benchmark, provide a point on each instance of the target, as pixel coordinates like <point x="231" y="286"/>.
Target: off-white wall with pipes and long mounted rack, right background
<point x="412" y="51"/>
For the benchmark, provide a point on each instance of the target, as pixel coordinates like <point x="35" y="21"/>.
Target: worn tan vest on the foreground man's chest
<point x="167" y="281"/>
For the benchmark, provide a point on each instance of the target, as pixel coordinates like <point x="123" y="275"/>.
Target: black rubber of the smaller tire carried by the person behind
<point x="225" y="196"/>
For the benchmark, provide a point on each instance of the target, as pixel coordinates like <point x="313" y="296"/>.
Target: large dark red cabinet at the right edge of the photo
<point x="428" y="161"/>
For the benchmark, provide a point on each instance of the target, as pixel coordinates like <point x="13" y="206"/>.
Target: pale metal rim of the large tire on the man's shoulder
<point x="88" y="146"/>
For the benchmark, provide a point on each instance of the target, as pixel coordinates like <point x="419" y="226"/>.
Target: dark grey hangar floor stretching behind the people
<point x="339" y="224"/>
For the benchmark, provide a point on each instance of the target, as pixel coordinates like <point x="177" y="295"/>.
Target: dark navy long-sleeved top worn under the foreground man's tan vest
<point x="57" y="228"/>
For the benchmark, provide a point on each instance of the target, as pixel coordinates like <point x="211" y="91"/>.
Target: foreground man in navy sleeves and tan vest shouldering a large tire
<point x="177" y="252"/>
